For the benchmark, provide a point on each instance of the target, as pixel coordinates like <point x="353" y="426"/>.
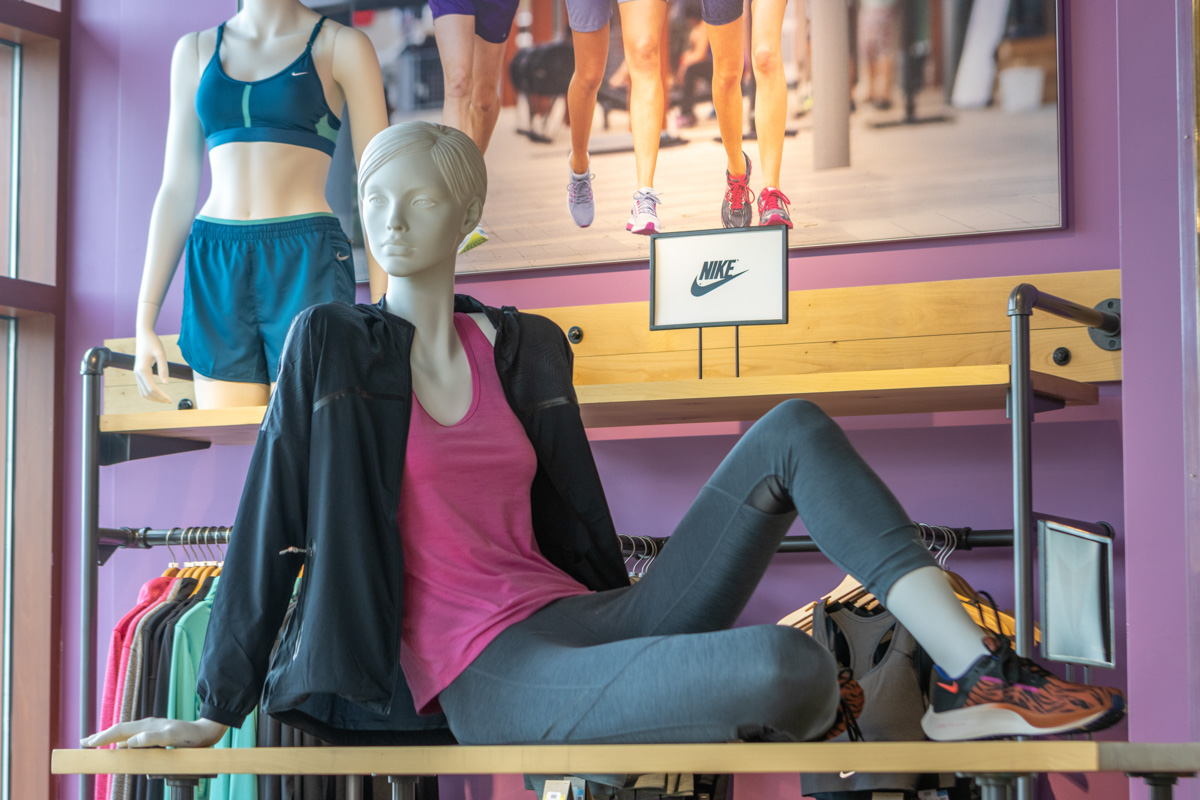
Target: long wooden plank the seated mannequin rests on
<point x="572" y="760"/>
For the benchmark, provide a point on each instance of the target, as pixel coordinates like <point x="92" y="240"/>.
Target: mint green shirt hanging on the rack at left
<point x="185" y="665"/>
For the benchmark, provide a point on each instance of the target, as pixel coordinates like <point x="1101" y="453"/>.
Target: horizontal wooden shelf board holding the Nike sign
<point x="717" y="400"/>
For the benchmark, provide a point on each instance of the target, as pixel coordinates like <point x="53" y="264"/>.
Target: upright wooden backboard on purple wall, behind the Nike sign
<point x="933" y="324"/>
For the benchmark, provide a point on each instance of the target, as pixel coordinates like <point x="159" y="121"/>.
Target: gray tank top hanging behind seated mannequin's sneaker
<point x="893" y="705"/>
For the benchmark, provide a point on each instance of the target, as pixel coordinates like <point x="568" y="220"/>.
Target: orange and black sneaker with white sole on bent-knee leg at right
<point x="1004" y="695"/>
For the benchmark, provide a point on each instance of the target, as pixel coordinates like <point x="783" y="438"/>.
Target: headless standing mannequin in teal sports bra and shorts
<point x="266" y="244"/>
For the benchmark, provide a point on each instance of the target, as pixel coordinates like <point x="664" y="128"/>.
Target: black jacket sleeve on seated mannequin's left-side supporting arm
<point x="267" y="546"/>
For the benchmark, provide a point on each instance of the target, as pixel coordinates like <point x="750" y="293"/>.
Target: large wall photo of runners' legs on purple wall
<point x="843" y="121"/>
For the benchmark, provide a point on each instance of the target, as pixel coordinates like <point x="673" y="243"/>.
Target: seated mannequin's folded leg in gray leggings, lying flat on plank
<point x="550" y="679"/>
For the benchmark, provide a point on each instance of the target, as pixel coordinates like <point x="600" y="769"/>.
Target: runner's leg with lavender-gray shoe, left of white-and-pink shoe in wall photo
<point x="590" y="38"/>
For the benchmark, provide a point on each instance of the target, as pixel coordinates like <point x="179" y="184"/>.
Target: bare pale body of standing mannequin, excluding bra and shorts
<point x="251" y="181"/>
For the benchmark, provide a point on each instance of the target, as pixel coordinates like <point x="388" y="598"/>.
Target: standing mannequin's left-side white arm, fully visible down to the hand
<point x="173" y="212"/>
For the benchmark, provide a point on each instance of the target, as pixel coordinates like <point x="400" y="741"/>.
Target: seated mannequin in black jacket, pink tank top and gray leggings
<point x="424" y="460"/>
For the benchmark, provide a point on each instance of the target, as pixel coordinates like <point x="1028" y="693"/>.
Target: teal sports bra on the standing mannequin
<point x="290" y="107"/>
